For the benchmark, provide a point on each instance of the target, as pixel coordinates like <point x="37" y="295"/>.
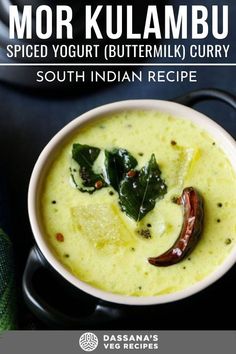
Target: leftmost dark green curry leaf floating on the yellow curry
<point x="85" y="156"/>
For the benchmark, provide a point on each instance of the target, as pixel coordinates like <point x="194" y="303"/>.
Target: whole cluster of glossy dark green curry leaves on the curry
<point x="138" y="190"/>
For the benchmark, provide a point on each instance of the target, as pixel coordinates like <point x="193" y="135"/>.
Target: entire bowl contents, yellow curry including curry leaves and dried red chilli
<point x="140" y="203"/>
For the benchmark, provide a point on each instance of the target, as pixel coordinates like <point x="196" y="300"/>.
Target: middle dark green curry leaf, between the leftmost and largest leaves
<point x="117" y="163"/>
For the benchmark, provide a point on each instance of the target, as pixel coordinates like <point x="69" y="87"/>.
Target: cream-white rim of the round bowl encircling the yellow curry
<point x="173" y="108"/>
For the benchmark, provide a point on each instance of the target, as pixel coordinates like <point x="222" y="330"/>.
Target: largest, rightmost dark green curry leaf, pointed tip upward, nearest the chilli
<point x="138" y="194"/>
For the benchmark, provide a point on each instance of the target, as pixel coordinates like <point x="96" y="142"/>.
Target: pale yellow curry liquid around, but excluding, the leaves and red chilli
<point x="102" y="245"/>
